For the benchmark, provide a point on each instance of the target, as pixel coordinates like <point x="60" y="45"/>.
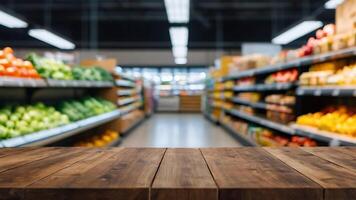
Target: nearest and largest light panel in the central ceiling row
<point x="177" y="10"/>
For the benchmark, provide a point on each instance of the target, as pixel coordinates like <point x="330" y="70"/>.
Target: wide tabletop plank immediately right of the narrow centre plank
<point x="252" y="173"/>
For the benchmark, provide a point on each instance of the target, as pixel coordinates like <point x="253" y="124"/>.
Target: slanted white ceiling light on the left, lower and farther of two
<point x="50" y="38"/>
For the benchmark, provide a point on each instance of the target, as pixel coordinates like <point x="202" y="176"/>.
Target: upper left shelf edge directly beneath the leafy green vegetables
<point x="79" y="83"/>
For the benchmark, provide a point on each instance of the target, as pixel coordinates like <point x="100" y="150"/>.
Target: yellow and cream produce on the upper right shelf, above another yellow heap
<point x="329" y="74"/>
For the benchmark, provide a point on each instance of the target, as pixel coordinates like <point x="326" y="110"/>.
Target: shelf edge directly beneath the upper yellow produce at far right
<point x="326" y="91"/>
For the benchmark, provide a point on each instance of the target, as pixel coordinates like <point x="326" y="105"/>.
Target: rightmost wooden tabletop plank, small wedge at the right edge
<point x="340" y="156"/>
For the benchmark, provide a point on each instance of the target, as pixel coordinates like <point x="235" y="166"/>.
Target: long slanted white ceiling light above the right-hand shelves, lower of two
<point x="297" y="32"/>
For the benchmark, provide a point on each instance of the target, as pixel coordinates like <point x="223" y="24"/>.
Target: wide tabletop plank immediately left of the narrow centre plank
<point x="119" y="174"/>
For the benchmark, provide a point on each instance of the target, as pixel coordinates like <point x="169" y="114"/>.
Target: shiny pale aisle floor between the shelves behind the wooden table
<point x="178" y="130"/>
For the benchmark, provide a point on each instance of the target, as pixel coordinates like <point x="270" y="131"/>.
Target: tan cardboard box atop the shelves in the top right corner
<point x="346" y="17"/>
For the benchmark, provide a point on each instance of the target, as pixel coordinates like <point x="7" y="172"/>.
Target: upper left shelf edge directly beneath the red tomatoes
<point x="22" y="82"/>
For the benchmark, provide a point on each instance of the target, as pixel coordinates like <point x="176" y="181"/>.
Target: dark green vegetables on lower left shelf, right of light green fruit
<point x="87" y="107"/>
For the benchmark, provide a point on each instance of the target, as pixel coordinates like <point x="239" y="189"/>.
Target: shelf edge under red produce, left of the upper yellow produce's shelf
<point x="264" y="87"/>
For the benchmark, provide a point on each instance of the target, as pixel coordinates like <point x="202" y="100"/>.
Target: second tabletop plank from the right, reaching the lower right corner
<point x="338" y="182"/>
